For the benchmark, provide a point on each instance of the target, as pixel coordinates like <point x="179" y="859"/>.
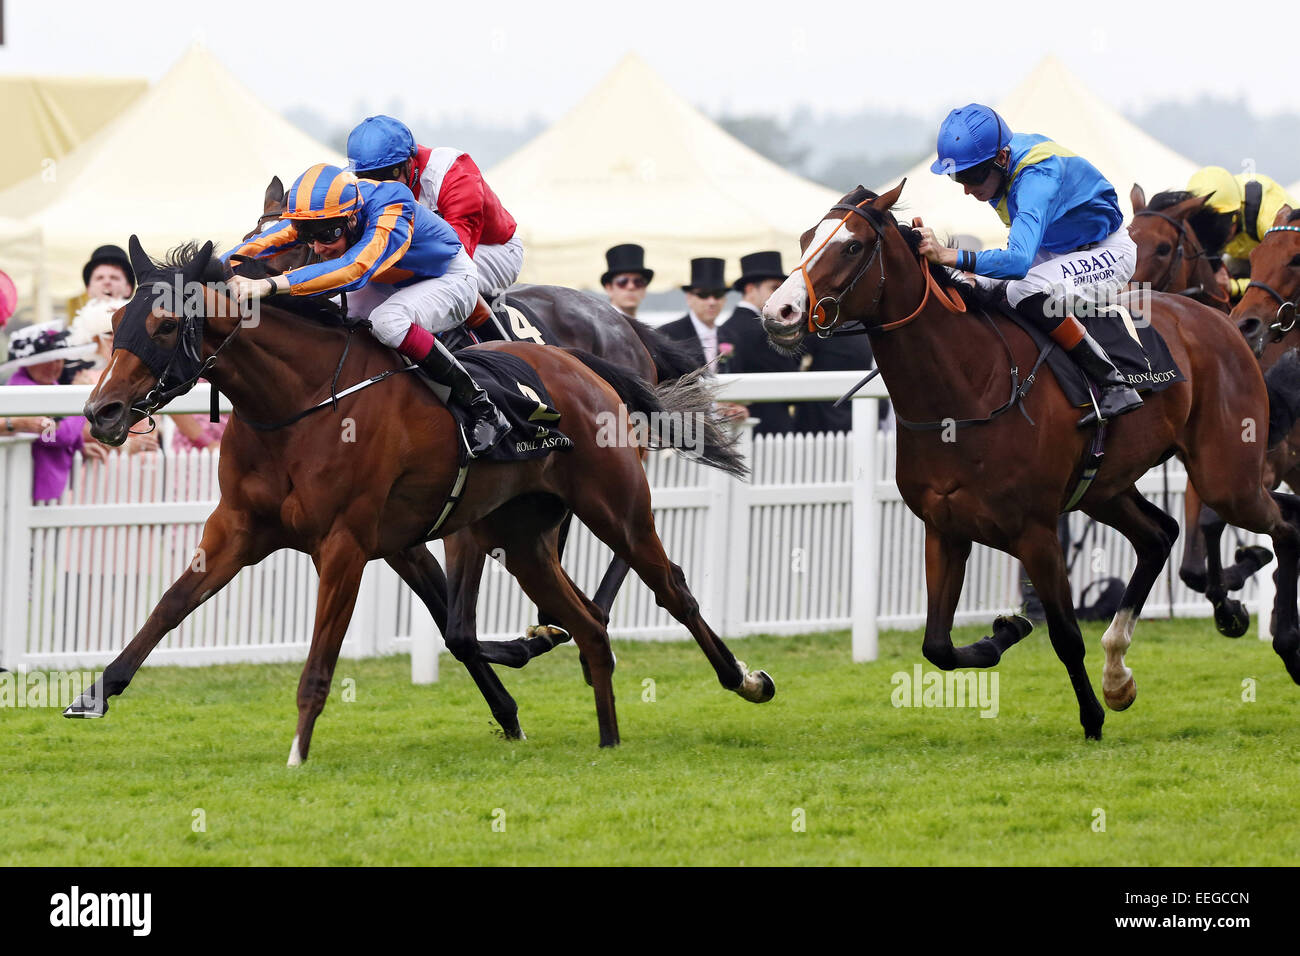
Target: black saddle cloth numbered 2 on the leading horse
<point x="518" y="392"/>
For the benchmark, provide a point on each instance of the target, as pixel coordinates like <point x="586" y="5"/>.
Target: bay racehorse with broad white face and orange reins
<point x="976" y="474"/>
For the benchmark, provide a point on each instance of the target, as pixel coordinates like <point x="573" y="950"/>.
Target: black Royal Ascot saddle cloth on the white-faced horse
<point x="1146" y="364"/>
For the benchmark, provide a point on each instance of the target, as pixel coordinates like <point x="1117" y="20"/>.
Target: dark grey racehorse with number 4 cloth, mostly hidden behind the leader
<point x="554" y="317"/>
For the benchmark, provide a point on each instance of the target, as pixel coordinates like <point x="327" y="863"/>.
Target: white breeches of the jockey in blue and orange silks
<point x="435" y="305"/>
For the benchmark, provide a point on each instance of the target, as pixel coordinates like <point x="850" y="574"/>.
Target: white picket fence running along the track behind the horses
<point x="801" y="548"/>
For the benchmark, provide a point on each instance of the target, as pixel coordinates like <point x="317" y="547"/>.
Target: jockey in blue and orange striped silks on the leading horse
<point x="401" y="265"/>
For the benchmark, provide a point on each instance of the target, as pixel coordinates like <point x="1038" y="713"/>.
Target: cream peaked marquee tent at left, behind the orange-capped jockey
<point x="189" y="159"/>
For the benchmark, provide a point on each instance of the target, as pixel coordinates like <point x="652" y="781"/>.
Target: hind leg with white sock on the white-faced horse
<point x="1152" y="535"/>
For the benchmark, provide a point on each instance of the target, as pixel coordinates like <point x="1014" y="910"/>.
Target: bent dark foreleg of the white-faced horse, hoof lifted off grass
<point x="946" y="572"/>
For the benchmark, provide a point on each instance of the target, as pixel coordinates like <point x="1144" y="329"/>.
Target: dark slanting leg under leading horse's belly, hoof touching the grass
<point x="422" y="573"/>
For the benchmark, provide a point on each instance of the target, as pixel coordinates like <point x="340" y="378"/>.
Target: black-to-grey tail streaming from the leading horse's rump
<point x="679" y="414"/>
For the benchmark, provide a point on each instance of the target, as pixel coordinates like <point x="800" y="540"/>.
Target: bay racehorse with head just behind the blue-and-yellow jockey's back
<point x="1171" y="259"/>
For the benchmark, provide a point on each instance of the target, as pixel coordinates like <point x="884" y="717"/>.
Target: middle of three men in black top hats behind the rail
<point x="761" y="276"/>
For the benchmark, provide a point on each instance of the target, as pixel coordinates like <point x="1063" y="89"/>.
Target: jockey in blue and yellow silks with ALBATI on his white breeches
<point x="1067" y="249"/>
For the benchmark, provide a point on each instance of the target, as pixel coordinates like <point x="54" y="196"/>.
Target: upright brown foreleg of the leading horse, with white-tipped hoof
<point x="340" y="564"/>
